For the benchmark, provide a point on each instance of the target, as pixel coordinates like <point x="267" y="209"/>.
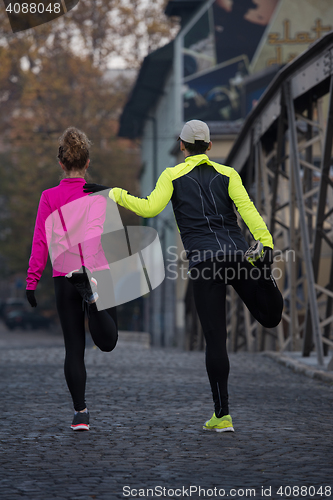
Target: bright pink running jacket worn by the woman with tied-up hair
<point x="69" y="226"/>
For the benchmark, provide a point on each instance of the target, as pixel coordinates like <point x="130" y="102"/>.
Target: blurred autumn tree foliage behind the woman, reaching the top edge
<point x="52" y="77"/>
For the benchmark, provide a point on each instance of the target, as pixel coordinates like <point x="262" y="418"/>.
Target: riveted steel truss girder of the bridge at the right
<point x="284" y="155"/>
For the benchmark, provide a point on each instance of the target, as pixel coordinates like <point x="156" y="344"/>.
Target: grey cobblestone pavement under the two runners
<point x="147" y="409"/>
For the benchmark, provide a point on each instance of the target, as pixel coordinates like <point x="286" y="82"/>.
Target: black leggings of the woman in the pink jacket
<point x="102" y="326"/>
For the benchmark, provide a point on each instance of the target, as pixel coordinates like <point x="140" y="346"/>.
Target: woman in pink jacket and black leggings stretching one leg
<point x="68" y="226"/>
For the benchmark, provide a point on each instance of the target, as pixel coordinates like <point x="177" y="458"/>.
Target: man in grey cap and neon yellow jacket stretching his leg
<point x="203" y="194"/>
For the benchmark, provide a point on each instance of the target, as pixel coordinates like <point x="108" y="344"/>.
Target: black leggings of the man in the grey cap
<point x="261" y="296"/>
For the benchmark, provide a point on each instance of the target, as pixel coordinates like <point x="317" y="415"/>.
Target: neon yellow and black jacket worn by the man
<point x="202" y="193"/>
